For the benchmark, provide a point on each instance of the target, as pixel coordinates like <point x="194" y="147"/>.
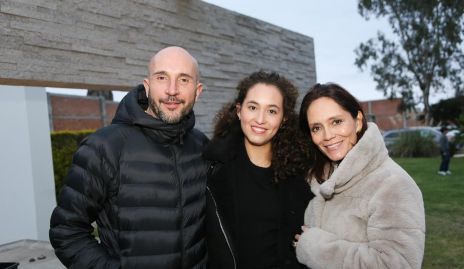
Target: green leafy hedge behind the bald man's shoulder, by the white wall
<point x="64" y="144"/>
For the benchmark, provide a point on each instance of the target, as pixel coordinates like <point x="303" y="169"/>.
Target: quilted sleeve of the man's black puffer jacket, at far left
<point x="79" y="204"/>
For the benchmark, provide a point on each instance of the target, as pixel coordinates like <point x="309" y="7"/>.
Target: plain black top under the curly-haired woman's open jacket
<point x="260" y="212"/>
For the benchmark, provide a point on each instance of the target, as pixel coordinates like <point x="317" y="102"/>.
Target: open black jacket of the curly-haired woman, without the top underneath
<point x="221" y="250"/>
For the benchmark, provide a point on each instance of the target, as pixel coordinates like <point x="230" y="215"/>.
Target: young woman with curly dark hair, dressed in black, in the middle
<point x="256" y="193"/>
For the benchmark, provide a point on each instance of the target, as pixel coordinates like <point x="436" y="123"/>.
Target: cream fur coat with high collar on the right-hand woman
<point x="368" y="214"/>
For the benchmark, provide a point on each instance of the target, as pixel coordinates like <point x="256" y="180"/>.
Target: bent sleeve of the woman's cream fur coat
<point x="395" y="235"/>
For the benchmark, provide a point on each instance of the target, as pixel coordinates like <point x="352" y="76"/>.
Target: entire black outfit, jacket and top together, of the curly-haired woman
<point x="250" y="220"/>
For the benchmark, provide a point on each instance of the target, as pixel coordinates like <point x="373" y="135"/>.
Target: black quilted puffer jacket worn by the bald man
<point x="143" y="182"/>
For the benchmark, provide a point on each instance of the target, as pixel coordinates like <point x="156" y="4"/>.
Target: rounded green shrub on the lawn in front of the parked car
<point x="413" y="144"/>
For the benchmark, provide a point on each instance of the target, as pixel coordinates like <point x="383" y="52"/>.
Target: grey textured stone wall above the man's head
<point x="106" y="44"/>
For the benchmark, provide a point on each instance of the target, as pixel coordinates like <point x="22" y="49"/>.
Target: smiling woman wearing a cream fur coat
<point x="367" y="211"/>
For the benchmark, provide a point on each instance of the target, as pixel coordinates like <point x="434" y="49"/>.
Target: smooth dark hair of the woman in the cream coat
<point x="344" y="99"/>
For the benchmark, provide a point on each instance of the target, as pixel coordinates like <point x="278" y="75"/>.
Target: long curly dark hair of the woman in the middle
<point x="290" y="149"/>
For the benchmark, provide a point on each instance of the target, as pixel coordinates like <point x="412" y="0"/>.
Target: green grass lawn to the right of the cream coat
<point x="444" y="210"/>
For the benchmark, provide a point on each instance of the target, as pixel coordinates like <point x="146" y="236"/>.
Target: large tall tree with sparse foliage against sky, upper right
<point x="428" y="53"/>
